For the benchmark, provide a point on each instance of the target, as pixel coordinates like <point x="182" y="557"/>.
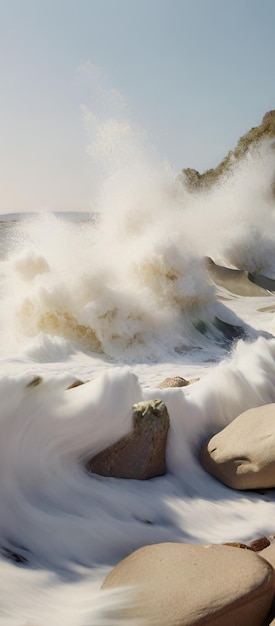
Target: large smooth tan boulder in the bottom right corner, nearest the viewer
<point x="190" y="585"/>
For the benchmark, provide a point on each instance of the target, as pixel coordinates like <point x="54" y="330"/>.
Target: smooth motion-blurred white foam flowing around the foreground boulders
<point x="63" y="520"/>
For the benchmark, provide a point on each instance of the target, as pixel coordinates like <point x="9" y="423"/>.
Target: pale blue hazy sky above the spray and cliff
<point x="190" y="76"/>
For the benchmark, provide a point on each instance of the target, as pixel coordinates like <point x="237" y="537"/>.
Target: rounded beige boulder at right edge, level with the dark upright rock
<point x="242" y="455"/>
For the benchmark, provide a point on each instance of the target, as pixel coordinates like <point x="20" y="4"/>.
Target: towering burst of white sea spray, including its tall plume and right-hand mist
<point x="134" y="281"/>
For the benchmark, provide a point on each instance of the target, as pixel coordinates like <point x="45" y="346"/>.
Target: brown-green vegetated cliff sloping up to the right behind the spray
<point x="266" y="130"/>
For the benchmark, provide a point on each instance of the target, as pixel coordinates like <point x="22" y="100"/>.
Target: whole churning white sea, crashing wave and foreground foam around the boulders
<point x="156" y="281"/>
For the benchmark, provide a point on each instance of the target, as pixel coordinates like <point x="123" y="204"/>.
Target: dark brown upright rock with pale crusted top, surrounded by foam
<point x="141" y="453"/>
